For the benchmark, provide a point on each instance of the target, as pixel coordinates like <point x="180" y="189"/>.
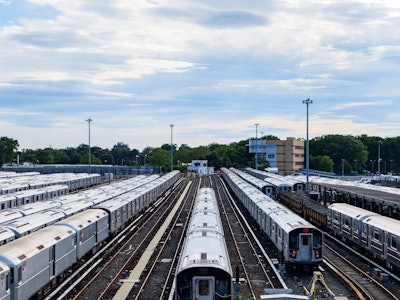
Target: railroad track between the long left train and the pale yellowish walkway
<point x="100" y="275"/>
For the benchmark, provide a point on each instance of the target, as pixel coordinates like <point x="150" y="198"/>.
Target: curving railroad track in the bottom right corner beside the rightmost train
<point x="354" y="272"/>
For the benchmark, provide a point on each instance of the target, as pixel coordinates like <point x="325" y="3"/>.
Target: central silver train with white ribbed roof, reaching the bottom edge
<point x="204" y="271"/>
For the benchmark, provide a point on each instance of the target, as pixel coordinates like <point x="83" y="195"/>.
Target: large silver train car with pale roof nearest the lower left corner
<point x="38" y="258"/>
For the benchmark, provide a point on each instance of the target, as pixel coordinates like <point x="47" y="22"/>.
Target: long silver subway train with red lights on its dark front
<point x="297" y="241"/>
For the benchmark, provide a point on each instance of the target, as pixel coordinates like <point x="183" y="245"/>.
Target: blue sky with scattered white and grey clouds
<point x="211" y="68"/>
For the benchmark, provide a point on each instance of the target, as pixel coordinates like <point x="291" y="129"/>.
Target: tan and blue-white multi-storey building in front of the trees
<point x="288" y="156"/>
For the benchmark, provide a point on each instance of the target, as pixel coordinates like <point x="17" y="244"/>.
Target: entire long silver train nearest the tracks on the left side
<point x="36" y="262"/>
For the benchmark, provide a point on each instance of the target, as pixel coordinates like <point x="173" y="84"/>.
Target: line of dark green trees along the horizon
<point x="332" y="153"/>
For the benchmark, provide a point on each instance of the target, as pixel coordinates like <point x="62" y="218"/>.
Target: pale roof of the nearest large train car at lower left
<point x="28" y="246"/>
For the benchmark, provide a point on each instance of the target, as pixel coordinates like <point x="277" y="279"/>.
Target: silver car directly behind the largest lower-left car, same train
<point x="91" y="228"/>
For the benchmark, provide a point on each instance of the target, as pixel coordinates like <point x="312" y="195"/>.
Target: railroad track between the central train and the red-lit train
<point x="246" y="252"/>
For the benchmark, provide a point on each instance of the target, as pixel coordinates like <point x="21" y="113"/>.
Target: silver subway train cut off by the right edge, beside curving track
<point x="377" y="234"/>
